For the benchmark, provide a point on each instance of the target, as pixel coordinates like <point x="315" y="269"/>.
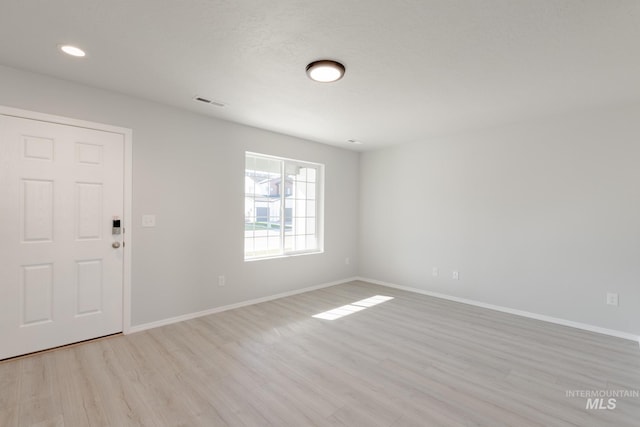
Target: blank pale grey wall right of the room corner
<point x="541" y="217"/>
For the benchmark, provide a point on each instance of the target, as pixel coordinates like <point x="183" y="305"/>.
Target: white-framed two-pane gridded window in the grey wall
<point x="283" y="207"/>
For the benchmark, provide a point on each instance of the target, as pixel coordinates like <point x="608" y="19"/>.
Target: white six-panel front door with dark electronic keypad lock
<point x="61" y="268"/>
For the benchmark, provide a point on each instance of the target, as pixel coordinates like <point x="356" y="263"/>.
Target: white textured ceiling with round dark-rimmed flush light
<point x="415" y="68"/>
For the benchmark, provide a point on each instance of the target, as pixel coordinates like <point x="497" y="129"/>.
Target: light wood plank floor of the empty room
<point x="410" y="361"/>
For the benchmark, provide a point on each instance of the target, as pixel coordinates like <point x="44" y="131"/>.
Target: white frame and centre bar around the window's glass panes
<point x="319" y="211"/>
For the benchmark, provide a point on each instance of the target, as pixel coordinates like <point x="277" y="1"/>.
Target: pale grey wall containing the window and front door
<point x="189" y="171"/>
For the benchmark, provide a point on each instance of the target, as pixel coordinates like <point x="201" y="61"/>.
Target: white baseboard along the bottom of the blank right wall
<point x="522" y="313"/>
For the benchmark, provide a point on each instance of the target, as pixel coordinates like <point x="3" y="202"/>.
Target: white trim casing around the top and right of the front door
<point x="127" y="190"/>
